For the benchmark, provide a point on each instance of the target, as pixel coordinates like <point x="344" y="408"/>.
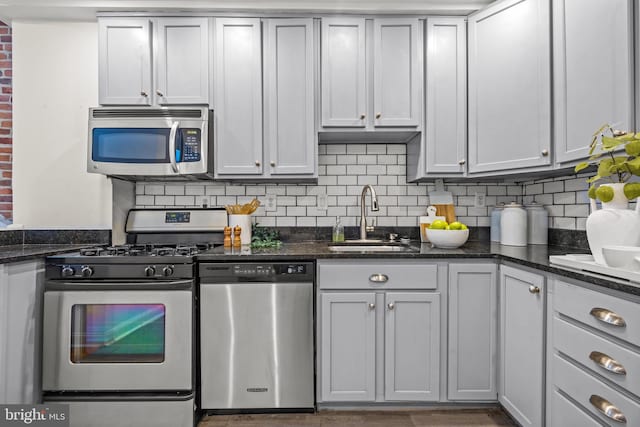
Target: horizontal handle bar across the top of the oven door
<point x="111" y="285"/>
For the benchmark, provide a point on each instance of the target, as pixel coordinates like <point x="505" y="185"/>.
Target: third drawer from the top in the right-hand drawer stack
<point x="585" y="389"/>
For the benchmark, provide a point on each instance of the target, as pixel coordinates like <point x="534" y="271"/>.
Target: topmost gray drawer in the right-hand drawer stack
<point x="599" y="310"/>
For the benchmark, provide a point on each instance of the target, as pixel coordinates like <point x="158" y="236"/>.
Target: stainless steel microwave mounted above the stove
<point x="147" y="143"/>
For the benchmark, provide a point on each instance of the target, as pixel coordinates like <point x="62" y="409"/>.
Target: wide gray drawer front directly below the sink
<point x="373" y="274"/>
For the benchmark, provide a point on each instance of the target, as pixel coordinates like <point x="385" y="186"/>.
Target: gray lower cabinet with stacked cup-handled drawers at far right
<point x="593" y="362"/>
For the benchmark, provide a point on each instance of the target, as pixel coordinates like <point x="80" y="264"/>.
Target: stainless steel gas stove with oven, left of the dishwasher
<point x="119" y="322"/>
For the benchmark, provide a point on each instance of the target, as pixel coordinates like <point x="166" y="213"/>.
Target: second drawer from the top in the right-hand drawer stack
<point x="594" y="351"/>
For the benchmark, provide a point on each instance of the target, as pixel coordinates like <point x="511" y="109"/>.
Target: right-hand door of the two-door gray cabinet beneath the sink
<point x="412" y="346"/>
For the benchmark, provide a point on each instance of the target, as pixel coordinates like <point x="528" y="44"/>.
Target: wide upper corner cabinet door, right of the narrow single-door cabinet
<point x="509" y="86"/>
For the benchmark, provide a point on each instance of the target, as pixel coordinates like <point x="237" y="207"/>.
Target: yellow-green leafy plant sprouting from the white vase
<point x="613" y="164"/>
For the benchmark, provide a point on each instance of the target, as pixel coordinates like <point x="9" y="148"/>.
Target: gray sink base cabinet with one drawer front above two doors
<point x="378" y="338"/>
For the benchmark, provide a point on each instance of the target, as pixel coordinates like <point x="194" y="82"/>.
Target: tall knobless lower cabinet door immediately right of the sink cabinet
<point x="473" y="329"/>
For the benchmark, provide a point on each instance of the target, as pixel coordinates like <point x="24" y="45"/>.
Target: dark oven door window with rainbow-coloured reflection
<point x="117" y="333"/>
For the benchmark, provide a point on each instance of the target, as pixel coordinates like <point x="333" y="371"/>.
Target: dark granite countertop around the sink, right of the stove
<point x="534" y="256"/>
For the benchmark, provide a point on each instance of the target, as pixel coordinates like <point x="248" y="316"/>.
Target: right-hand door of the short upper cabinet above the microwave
<point x="182" y="61"/>
